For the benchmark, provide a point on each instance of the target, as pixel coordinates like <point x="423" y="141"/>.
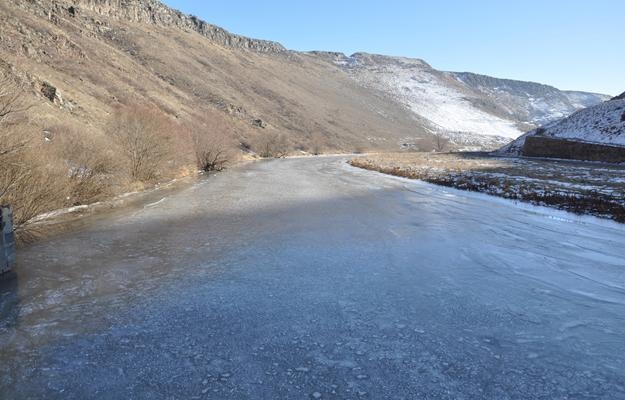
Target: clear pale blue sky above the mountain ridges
<point x="568" y="44"/>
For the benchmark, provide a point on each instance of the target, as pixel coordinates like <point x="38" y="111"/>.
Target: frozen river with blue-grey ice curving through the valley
<point x="307" y="278"/>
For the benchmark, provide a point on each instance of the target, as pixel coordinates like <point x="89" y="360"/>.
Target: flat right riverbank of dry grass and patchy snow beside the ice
<point x="578" y="187"/>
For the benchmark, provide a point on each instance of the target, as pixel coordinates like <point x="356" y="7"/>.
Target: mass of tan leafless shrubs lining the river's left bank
<point x="60" y="166"/>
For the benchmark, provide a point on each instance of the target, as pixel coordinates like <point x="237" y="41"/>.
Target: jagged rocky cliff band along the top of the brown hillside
<point x="155" y="12"/>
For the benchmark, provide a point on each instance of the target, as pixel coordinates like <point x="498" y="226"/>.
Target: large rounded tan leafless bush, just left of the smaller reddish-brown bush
<point x="144" y="135"/>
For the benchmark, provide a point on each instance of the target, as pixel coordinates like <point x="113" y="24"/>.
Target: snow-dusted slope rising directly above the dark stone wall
<point x="600" y="124"/>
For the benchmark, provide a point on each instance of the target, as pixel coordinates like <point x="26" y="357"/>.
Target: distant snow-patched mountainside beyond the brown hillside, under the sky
<point x="472" y="111"/>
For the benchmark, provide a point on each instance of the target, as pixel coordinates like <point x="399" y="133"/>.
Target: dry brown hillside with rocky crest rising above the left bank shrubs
<point x="103" y="54"/>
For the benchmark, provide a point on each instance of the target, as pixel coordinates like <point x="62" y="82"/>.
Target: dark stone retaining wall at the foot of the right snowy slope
<point x="547" y="147"/>
